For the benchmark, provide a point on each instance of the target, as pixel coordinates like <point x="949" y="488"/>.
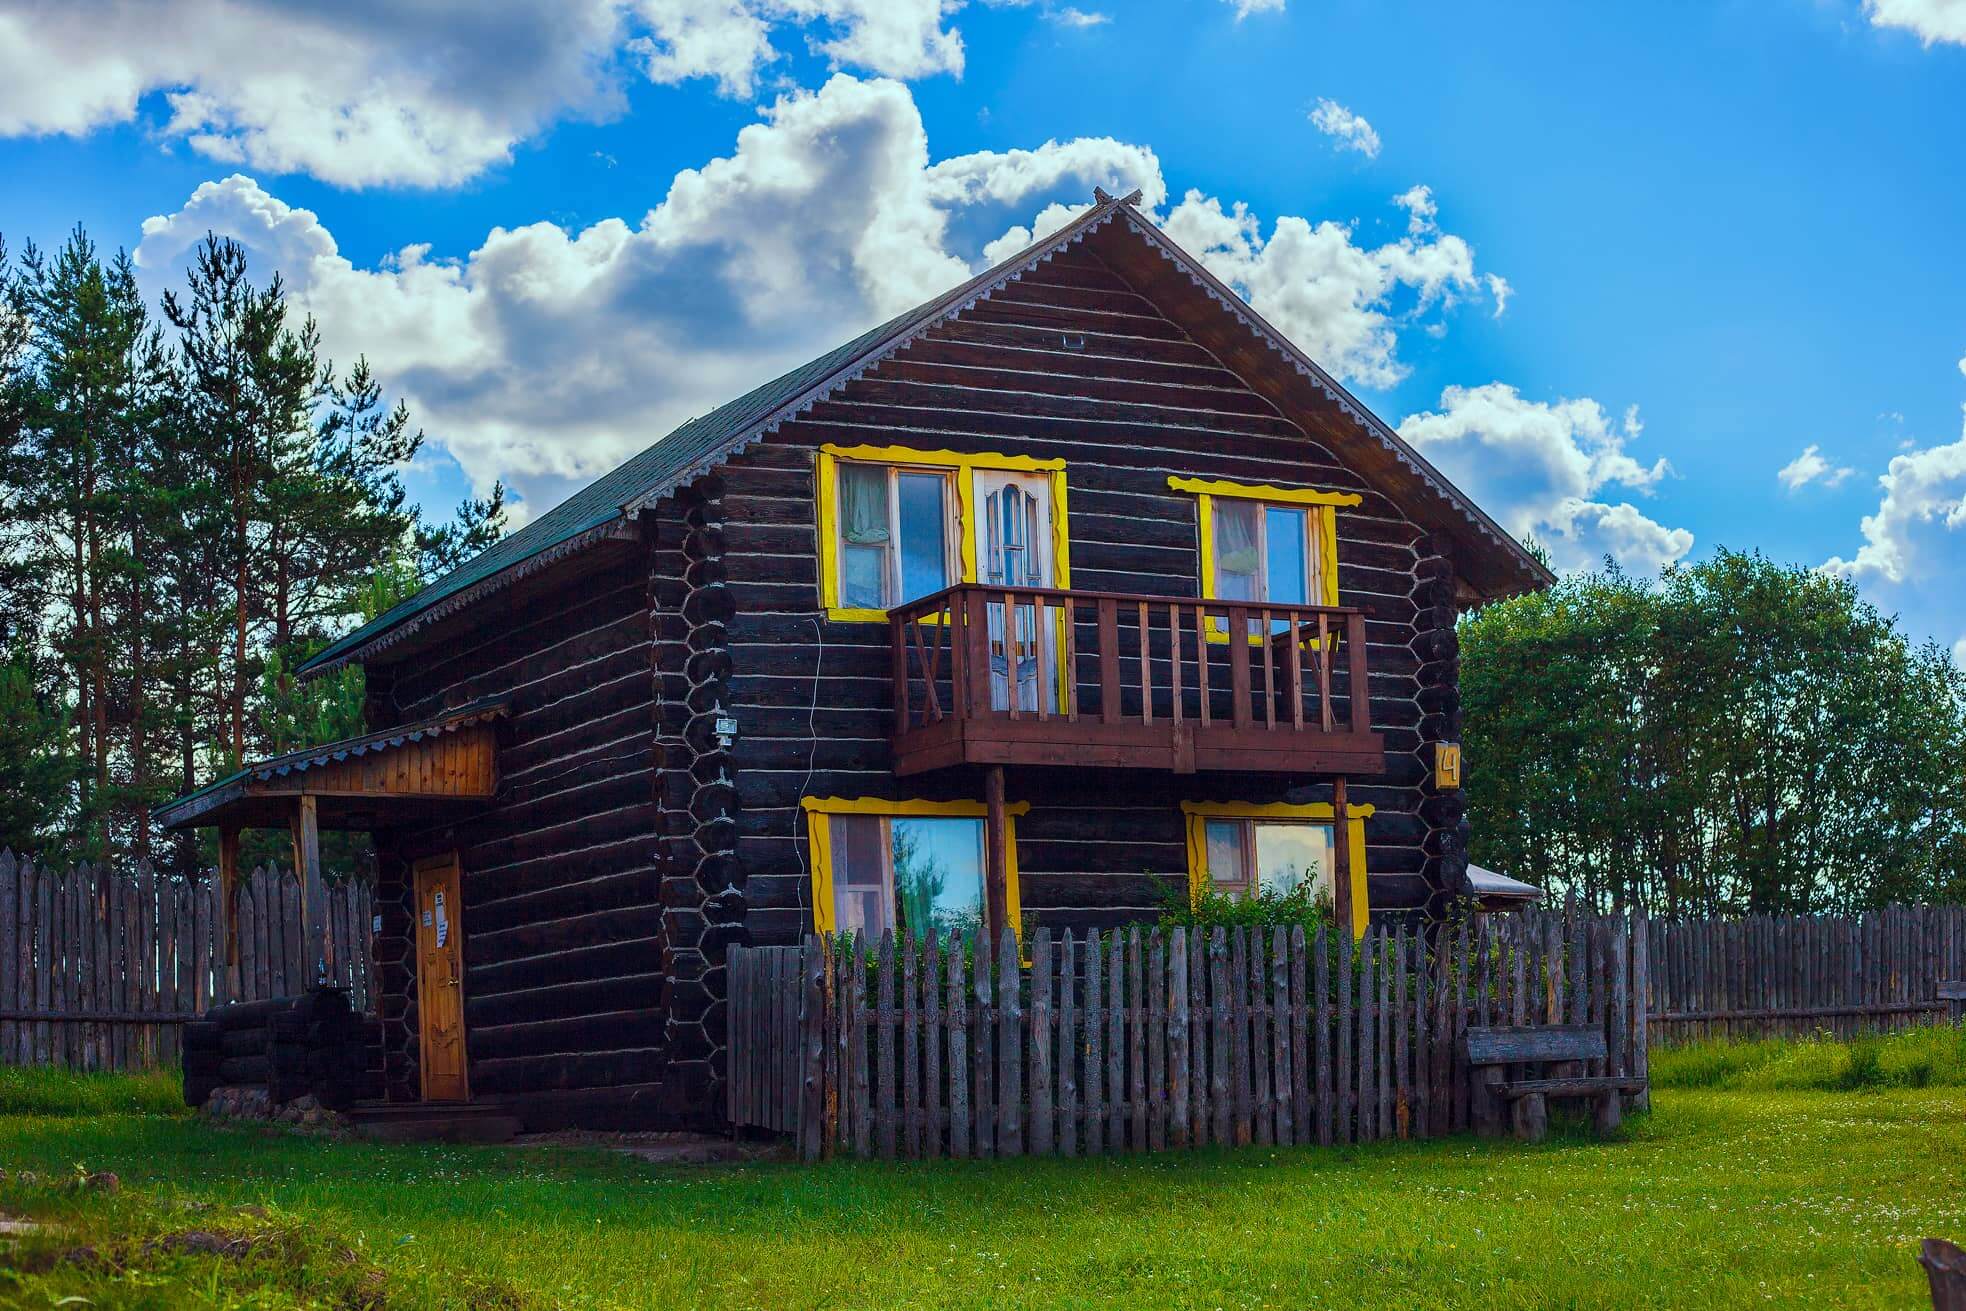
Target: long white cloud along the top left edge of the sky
<point x="424" y="93"/>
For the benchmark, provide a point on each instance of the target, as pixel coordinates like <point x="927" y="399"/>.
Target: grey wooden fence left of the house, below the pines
<point x="101" y="968"/>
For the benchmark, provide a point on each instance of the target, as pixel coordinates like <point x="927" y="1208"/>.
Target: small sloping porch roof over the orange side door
<point x="359" y="783"/>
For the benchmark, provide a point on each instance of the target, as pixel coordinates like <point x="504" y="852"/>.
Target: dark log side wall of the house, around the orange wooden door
<point x="565" y="972"/>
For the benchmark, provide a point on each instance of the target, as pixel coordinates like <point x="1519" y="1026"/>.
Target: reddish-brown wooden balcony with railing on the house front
<point x="990" y="675"/>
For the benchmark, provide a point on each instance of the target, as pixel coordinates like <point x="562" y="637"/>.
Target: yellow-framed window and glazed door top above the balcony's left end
<point x="897" y="526"/>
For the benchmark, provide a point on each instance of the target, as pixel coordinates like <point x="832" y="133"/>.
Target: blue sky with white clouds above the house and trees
<point x="1647" y="280"/>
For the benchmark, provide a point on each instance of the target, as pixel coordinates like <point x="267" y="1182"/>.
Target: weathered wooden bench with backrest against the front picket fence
<point x="1560" y="1051"/>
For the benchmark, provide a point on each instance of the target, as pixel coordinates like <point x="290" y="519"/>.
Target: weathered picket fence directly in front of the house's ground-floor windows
<point x="1147" y="1041"/>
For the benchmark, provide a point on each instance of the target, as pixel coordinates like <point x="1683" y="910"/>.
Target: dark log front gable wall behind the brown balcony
<point x="1137" y="404"/>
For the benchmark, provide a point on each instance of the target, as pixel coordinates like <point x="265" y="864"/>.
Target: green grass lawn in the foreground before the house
<point x="1715" y="1200"/>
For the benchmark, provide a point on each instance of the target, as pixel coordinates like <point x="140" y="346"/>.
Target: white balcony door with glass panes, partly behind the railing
<point x="1017" y="553"/>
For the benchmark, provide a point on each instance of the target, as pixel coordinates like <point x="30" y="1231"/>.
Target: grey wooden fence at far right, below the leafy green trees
<point x="1796" y="976"/>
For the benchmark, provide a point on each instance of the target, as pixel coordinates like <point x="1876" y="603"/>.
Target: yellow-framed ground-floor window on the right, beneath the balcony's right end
<point x="1243" y="850"/>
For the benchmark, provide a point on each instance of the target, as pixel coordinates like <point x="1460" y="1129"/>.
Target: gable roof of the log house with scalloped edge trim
<point x="608" y="506"/>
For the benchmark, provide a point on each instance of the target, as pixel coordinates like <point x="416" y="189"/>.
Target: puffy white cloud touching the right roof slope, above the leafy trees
<point x="1542" y="469"/>
